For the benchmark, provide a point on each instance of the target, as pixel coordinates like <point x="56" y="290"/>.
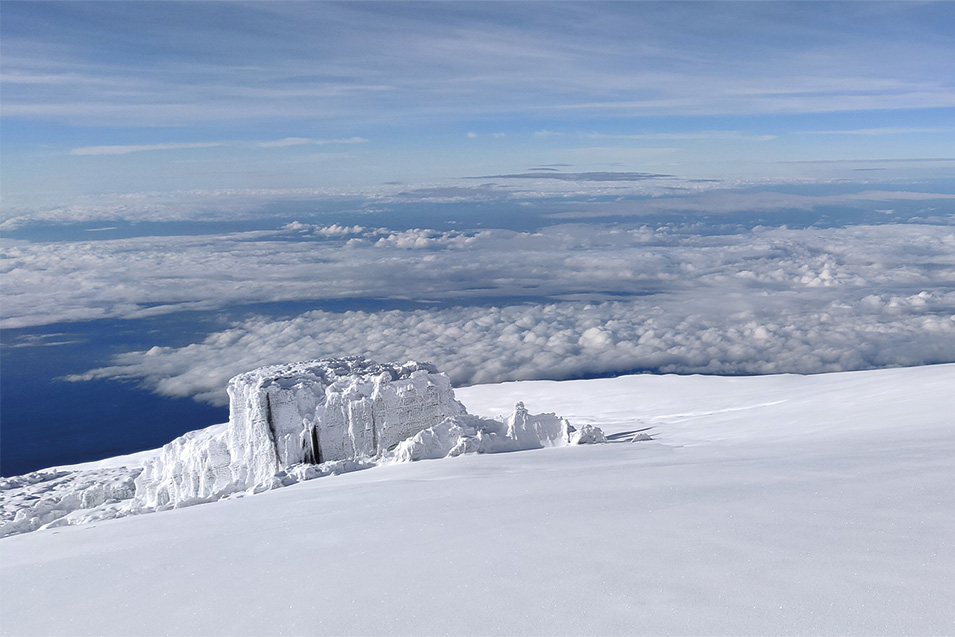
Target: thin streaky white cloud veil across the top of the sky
<point x="409" y="63"/>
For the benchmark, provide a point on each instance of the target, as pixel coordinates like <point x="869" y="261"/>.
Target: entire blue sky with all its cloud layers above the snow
<point x="509" y="190"/>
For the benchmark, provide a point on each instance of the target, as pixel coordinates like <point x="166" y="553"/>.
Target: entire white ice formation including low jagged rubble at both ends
<point x="287" y="423"/>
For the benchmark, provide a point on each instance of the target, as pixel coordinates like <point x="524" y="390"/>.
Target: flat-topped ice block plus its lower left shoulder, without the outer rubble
<point x="284" y="415"/>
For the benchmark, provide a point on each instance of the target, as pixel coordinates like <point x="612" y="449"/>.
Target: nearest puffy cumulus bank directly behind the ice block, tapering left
<point x="734" y="335"/>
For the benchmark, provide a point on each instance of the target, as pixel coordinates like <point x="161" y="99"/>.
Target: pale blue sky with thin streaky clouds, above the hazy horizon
<point x="140" y="96"/>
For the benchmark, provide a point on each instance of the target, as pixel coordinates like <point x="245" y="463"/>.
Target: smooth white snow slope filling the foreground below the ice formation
<point x="759" y="505"/>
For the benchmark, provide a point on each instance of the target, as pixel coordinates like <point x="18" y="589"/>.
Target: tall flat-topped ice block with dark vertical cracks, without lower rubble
<point x="333" y="409"/>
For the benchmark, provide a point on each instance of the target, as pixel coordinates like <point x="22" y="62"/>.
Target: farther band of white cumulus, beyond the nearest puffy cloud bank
<point x="129" y="278"/>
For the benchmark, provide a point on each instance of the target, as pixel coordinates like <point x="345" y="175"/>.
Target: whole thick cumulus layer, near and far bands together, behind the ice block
<point x="584" y="299"/>
